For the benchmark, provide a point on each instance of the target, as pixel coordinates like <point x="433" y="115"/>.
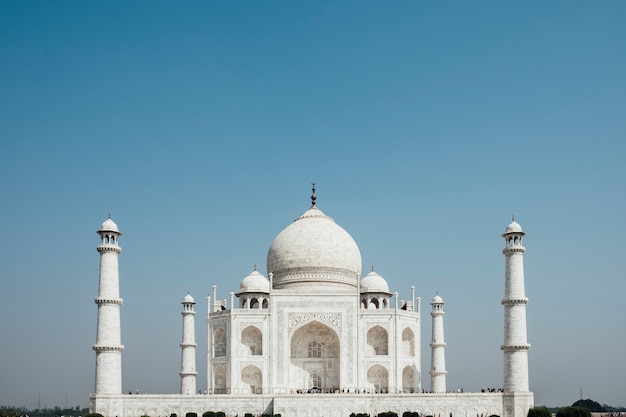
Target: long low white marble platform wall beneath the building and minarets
<point x="331" y="405"/>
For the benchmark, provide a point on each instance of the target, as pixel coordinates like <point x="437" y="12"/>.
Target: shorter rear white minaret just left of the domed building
<point x="188" y="345"/>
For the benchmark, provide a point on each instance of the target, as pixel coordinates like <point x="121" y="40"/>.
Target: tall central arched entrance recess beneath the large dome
<point x="314" y="358"/>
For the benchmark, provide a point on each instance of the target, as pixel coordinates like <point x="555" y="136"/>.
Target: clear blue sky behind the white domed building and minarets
<point x="200" y="125"/>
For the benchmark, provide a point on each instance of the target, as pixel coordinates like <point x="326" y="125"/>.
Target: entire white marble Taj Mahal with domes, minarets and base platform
<point x="314" y="337"/>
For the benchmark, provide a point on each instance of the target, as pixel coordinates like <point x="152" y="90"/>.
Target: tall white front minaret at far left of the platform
<point x="108" y="345"/>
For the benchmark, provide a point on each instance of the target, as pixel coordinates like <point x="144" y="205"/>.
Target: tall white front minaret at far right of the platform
<point x="515" y="346"/>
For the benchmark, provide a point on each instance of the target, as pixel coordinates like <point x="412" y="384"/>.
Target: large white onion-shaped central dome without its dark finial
<point x="314" y="253"/>
